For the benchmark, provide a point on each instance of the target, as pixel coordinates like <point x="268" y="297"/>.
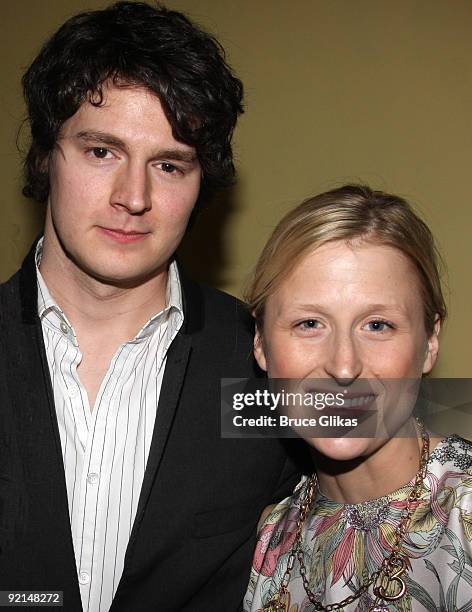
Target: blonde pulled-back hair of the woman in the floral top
<point x="351" y="212"/>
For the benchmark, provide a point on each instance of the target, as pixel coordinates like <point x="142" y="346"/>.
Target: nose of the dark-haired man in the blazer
<point x="132" y="189"/>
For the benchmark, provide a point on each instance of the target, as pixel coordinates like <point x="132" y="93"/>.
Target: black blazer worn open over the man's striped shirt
<point x="194" y="533"/>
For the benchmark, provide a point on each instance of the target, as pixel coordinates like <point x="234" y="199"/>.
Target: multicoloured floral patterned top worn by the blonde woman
<point x="344" y="544"/>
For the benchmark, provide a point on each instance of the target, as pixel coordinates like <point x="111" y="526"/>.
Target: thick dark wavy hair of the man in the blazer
<point x="133" y="43"/>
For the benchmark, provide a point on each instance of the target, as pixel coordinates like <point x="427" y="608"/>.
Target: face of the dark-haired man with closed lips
<point x="121" y="189"/>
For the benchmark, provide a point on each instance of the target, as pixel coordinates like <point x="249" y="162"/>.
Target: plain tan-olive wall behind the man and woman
<point x="335" y="91"/>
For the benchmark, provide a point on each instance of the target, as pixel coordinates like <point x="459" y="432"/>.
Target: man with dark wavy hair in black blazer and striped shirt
<point x="115" y="485"/>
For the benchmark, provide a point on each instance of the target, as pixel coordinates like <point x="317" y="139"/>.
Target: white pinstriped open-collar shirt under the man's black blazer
<point x="105" y="450"/>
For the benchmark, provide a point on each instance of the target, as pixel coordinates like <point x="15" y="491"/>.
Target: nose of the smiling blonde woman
<point x="343" y="359"/>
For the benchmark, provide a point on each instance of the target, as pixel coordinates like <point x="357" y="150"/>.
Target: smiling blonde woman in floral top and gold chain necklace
<point x="347" y="290"/>
